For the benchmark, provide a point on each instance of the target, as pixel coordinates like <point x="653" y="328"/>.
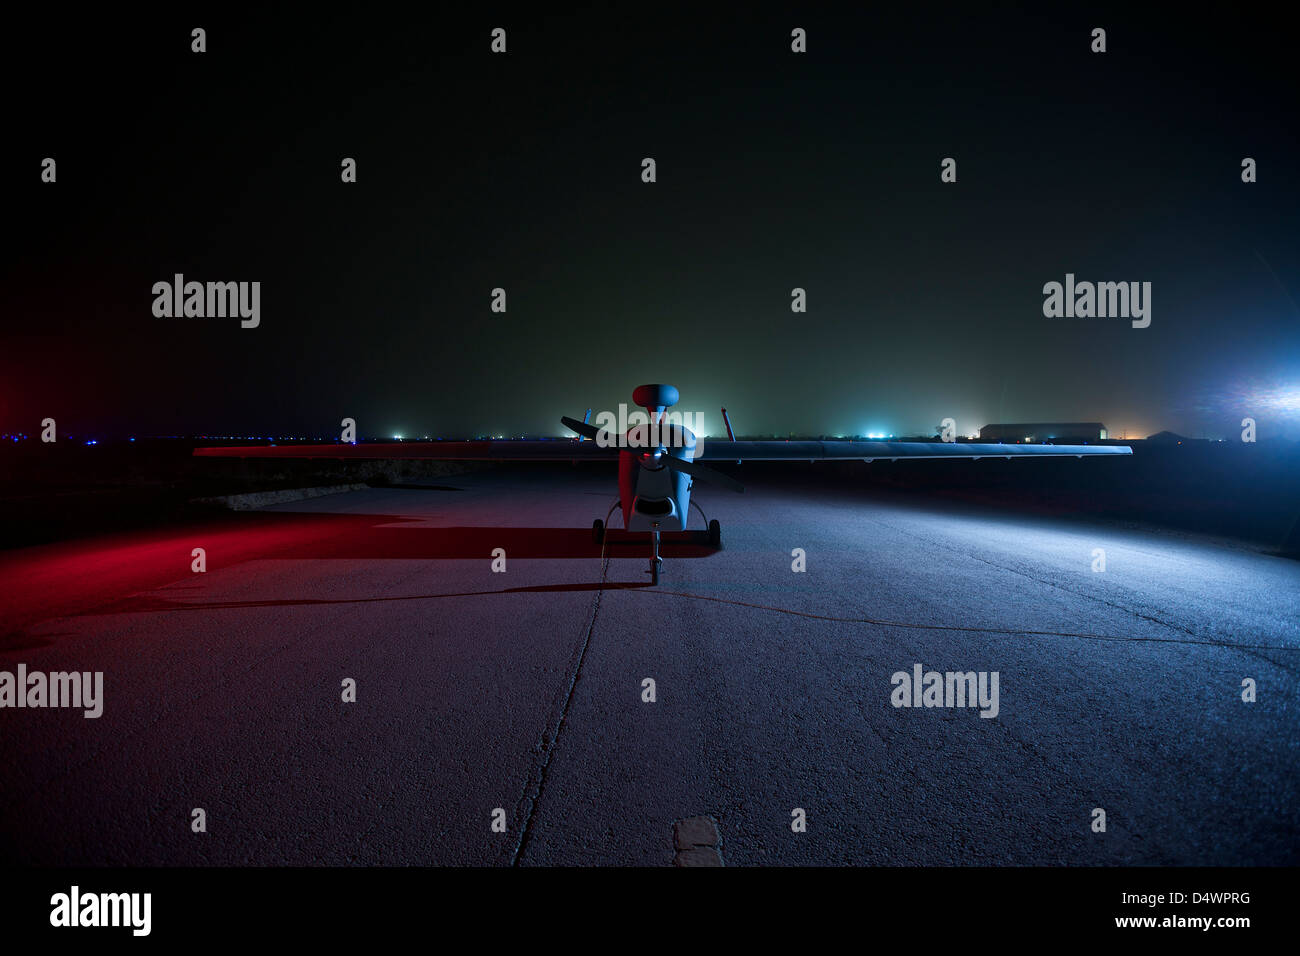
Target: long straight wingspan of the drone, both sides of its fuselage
<point x="569" y="451"/>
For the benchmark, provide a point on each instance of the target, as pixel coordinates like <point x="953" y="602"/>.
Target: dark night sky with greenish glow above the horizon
<point x="775" y="171"/>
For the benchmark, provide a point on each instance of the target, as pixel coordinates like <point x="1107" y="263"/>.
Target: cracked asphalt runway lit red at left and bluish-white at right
<point x="523" y="691"/>
